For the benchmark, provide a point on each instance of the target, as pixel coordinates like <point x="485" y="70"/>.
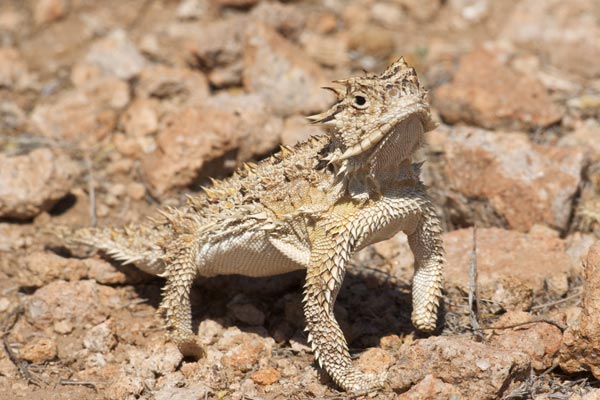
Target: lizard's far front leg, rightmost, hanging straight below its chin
<point x="426" y="244"/>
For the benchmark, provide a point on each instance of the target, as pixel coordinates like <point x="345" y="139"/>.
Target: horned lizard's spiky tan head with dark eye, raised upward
<point x="374" y="110"/>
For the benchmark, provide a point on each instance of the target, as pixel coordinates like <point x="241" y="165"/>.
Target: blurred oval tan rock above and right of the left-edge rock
<point x="86" y="113"/>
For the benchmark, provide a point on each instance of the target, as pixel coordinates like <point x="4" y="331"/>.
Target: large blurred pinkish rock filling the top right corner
<point x="559" y="32"/>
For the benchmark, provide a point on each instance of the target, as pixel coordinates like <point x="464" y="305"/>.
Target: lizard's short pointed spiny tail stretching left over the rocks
<point x="129" y="245"/>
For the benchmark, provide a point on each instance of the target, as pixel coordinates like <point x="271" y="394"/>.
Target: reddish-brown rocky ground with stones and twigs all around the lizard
<point x="108" y="109"/>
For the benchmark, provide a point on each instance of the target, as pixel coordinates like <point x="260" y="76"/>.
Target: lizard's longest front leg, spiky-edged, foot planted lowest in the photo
<point x="325" y="273"/>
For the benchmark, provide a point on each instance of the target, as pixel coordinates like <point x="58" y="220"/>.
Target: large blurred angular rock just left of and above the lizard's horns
<point x="282" y="74"/>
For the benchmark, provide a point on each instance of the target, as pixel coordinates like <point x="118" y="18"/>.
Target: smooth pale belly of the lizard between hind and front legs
<point x="254" y="253"/>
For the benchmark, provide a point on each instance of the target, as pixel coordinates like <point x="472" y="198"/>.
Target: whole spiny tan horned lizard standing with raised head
<point x="307" y="207"/>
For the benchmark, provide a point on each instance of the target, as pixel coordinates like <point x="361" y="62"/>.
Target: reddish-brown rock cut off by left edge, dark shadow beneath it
<point x="34" y="182"/>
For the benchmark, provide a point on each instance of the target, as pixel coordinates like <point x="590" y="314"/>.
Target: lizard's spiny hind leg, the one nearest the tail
<point x="176" y="307"/>
